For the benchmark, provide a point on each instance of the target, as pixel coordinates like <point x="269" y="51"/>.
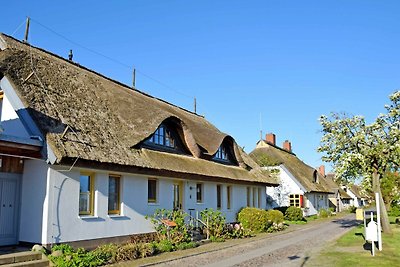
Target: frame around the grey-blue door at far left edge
<point x="18" y="178"/>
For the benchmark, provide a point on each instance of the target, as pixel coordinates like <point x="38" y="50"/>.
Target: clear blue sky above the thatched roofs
<point x="288" y="61"/>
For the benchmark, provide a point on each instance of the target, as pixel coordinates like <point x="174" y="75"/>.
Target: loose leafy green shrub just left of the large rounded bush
<point x="216" y="223"/>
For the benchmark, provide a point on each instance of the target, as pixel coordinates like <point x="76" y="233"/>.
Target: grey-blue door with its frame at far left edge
<point x="8" y="209"/>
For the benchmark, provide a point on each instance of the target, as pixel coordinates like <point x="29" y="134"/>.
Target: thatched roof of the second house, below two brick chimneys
<point x="266" y="154"/>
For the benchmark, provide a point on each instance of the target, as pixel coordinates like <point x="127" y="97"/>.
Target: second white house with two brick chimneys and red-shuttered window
<point x="299" y="184"/>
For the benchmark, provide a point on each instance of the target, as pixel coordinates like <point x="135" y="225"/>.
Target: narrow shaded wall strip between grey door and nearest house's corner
<point x="33" y="194"/>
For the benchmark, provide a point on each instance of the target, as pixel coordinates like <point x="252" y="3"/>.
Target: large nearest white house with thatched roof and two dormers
<point x="105" y="155"/>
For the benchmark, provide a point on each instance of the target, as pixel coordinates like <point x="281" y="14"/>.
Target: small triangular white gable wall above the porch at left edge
<point x="10" y="121"/>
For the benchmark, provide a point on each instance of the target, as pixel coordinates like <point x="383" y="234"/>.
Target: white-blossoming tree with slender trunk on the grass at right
<point x="357" y="149"/>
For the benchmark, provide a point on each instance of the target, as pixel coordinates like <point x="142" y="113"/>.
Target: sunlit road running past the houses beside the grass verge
<point x="288" y="249"/>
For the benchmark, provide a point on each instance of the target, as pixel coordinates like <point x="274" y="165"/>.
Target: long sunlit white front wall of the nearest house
<point x="64" y="224"/>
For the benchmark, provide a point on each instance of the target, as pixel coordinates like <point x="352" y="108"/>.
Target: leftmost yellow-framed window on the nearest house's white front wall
<point x="86" y="194"/>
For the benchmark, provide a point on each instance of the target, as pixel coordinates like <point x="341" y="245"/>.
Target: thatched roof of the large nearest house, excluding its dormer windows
<point x="85" y="115"/>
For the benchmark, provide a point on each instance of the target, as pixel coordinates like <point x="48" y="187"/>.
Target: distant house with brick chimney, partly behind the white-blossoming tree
<point x="339" y="200"/>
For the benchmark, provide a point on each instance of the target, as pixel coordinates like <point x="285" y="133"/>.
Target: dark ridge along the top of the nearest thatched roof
<point x="101" y="75"/>
